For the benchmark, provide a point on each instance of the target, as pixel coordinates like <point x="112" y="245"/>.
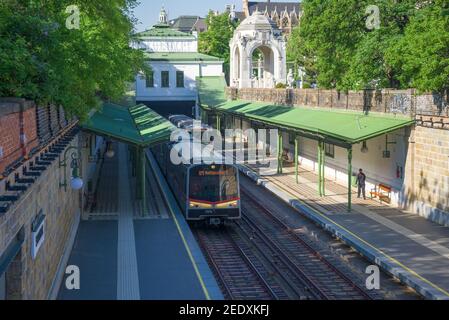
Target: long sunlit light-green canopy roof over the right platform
<point x="345" y="127"/>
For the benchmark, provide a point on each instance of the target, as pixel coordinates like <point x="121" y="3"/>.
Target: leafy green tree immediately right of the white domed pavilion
<point x="330" y="31"/>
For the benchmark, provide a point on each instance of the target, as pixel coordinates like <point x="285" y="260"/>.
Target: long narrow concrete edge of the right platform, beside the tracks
<point x="386" y="263"/>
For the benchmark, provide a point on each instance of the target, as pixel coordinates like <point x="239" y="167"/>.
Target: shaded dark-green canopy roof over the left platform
<point x="138" y="125"/>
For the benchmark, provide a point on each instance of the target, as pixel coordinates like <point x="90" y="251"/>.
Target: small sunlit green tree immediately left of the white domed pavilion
<point x="215" y="41"/>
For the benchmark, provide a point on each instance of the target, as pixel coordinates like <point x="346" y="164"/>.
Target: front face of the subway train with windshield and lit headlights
<point x="213" y="193"/>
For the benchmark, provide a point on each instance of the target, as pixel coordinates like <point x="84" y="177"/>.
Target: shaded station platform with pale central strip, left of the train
<point x="124" y="256"/>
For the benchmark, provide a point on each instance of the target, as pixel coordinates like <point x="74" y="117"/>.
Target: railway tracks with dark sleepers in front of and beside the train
<point x="261" y="258"/>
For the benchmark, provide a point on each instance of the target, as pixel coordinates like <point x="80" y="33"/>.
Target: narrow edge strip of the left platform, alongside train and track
<point x="197" y="255"/>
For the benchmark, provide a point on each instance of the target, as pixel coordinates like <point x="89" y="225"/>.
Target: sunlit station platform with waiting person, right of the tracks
<point x="409" y="247"/>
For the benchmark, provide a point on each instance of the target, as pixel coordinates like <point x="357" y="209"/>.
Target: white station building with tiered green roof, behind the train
<point x="175" y="62"/>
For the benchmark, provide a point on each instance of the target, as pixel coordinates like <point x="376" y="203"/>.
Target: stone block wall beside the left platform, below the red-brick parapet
<point x="33" y="278"/>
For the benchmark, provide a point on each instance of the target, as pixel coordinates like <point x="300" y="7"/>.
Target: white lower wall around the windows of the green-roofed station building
<point x="188" y="93"/>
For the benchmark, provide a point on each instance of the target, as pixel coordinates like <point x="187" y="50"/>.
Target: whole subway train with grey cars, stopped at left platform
<point x="208" y="193"/>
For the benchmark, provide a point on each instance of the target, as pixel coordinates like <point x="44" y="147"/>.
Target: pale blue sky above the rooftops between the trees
<point x="148" y="11"/>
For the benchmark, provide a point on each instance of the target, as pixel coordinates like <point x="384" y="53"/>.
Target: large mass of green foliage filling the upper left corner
<point x="44" y="61"/>
